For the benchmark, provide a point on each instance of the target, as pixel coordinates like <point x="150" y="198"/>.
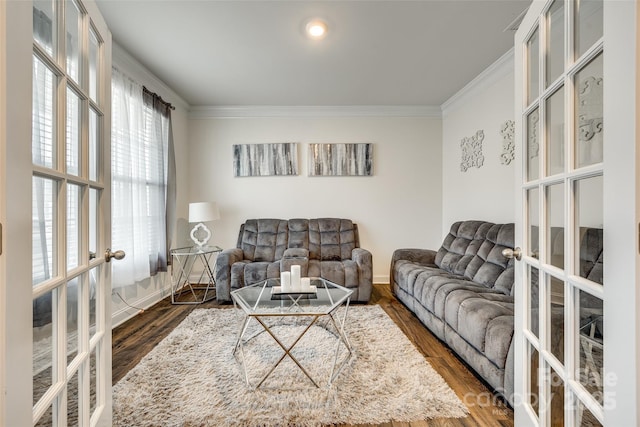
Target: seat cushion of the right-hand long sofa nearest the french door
<point x="484" y="320"/>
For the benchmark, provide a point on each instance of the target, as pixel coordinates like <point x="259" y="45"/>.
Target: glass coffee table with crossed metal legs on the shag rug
<point x="264" y="303"/>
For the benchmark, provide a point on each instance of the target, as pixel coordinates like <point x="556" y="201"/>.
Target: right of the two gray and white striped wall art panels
<point x="341" y="159"/>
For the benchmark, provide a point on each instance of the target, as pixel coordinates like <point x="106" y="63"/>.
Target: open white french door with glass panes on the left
<point x="58" y="315"/>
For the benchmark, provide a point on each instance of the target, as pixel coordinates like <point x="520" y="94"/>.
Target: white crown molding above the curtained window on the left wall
<point x="127" y="63"/>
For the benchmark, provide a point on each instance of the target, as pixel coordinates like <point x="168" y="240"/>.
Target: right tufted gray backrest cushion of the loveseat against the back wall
<point x="331" y="239"/>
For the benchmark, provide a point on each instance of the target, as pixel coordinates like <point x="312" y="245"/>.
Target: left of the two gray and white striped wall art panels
<point x="265" y="159"/>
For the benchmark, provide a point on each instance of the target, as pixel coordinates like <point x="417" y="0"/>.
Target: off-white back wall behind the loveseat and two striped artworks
<point x="399" y="206"/>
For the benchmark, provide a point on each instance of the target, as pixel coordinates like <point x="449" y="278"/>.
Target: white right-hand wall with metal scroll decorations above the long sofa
<point x="486" y="193"/>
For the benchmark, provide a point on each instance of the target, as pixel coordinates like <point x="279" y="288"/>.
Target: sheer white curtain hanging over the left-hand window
<point x="138" y="184"/>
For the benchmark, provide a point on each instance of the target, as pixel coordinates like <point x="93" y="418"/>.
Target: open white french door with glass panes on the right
<point x="577" y="298"/>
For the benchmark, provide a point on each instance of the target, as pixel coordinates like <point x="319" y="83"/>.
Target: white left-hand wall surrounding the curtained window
<point x="144" y="295"/>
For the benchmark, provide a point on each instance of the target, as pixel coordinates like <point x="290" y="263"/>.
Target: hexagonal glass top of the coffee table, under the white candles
<point x="265" y="298"/>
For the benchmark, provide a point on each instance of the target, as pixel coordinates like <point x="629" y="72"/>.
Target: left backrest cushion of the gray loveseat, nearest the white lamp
<point x="263" y="240"/>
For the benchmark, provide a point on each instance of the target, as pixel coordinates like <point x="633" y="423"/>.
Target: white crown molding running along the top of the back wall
<point x="248" y="111"/>
